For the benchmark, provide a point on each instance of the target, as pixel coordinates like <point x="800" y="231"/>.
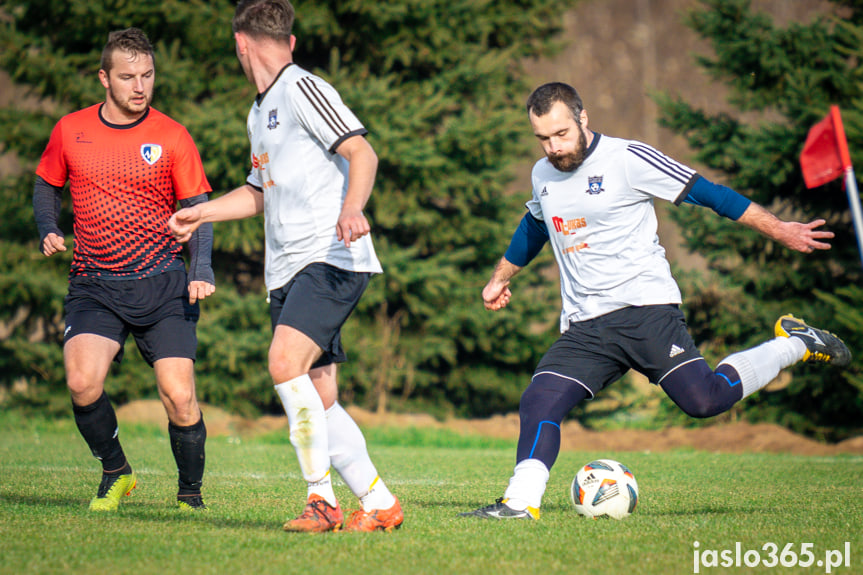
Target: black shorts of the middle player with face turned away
<point x="317" y="302"/>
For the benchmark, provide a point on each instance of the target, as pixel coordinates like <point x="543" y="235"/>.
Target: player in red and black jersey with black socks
<point x="128" y="165"/>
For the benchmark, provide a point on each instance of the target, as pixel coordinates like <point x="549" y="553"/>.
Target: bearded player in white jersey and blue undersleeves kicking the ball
<point x="593" y="201"/>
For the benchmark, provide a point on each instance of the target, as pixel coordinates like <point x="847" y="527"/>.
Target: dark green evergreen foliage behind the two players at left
<point x="440" y="86"/>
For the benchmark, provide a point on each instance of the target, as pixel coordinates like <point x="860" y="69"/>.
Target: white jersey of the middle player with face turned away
<point x="294" y="129"/>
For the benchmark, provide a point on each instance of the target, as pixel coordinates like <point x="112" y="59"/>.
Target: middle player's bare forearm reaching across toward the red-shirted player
<point x="239" y="203"/>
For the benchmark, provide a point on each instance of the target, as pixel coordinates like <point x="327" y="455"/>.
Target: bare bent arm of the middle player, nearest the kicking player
<point x="363" y="166"/>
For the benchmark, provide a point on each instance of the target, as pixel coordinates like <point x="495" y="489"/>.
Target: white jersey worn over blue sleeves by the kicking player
<point x="602" y="226"/>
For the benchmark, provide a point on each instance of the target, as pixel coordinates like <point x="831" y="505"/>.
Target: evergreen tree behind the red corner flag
<point x="781" y="82"/>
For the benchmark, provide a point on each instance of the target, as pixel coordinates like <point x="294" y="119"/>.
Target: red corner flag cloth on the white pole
<point x="825" y="154"/>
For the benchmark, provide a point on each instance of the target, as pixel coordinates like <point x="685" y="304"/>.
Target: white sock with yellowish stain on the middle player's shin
<point x="308" y="425"/>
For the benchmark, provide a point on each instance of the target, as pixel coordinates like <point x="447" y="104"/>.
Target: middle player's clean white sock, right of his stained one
<point x="350" y="457"/>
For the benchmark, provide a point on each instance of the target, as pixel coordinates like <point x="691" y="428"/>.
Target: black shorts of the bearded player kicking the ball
<point x="652" y="340"/>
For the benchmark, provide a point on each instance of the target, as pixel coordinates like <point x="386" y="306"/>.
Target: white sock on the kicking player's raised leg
<point x="759" y="365"/>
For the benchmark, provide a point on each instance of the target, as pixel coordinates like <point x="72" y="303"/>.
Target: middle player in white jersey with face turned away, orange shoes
<point x="312" y="174"/>
